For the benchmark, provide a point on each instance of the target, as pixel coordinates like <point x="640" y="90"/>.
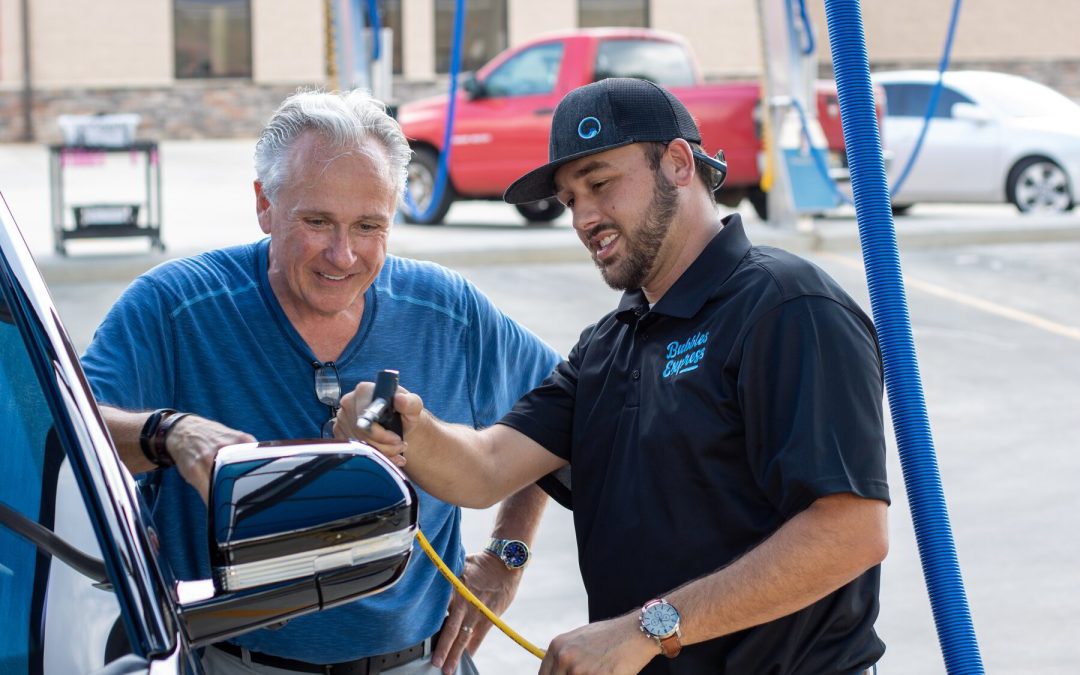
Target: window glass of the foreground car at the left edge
<point x="56" y="617"/>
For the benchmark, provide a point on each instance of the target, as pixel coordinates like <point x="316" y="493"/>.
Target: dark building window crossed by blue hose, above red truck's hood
<point x="485" y="33"/>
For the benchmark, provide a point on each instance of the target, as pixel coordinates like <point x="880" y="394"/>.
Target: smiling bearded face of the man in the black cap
<point x="624" y="212"/>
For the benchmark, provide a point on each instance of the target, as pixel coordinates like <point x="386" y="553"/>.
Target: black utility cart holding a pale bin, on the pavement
<point x="138" y="218"/>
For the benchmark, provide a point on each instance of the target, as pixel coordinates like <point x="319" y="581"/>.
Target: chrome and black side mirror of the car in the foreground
<point x="296" y="528"/>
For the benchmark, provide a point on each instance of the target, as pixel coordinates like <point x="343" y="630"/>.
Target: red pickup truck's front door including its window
<point x="504" y="134"/>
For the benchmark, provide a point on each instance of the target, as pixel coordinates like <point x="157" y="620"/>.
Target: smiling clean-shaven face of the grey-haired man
<point x="329" y="224"/>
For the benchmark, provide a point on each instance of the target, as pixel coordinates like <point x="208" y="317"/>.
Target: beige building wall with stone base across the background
<point x="118" y="56"/>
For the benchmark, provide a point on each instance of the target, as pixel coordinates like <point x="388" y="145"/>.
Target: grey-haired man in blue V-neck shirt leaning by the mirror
<point x="259" y="342"/>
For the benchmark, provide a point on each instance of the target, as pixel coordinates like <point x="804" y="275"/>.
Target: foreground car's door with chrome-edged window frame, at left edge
<point x="78" y="582"/>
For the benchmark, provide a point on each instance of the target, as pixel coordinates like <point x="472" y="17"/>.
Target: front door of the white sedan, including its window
<point x="960" y="159"/>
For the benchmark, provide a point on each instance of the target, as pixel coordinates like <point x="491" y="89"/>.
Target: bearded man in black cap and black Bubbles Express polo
<point x="723" y="424"/>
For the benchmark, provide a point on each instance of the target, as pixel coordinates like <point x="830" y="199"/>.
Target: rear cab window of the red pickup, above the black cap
<point x="657" y="61"/>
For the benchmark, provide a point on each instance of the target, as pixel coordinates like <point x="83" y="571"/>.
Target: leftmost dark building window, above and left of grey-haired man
<point x="213" y="38"/>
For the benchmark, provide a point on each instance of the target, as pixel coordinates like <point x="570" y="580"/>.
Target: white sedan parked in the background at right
<point x="993" y="138"/>
